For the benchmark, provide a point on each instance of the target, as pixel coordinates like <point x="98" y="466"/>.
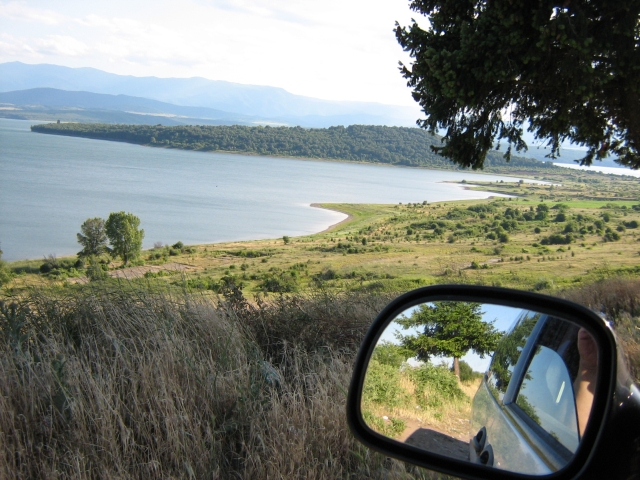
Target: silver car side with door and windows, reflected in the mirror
<point x="524" y="412"/>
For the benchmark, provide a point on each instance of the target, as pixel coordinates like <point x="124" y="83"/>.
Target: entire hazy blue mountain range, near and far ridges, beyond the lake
<point x="55" y="89"/>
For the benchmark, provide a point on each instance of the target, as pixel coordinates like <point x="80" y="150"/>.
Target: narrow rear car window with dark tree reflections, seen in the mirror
<point x="508" y="353"/>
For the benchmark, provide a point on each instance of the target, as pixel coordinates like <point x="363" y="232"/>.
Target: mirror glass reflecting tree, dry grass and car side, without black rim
<point x="500" y="386"/>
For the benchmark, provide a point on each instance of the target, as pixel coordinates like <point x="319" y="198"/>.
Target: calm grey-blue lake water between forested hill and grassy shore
<point x="50" y="184"/>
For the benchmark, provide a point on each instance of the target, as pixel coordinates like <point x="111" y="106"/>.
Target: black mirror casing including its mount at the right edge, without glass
<point x="594" y="448"/>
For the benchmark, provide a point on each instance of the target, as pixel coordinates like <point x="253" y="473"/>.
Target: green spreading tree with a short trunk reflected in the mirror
<point x="451" y="329"/>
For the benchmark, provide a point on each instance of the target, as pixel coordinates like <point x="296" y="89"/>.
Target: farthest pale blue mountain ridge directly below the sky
<point x="261" y="102"/>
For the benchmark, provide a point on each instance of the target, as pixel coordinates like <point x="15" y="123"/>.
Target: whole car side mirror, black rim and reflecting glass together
<point x="484" y="382"/>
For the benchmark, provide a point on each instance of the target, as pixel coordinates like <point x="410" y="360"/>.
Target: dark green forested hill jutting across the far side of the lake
<point x="360" y="143"/>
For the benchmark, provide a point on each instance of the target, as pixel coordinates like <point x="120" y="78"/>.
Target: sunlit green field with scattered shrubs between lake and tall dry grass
<point x="545" y="237"/>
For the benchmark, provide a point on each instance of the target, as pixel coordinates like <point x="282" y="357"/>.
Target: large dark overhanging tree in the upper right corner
<point x="483" y="70"/>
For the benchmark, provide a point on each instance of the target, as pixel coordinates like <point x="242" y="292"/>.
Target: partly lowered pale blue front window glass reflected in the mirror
<point x="546" y="396"/>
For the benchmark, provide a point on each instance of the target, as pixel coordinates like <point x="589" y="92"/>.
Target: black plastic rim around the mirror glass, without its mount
<point x="502" y="296"/>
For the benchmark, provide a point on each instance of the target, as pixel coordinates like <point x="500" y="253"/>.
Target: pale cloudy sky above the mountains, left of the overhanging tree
<point x="329" y="49"/>
